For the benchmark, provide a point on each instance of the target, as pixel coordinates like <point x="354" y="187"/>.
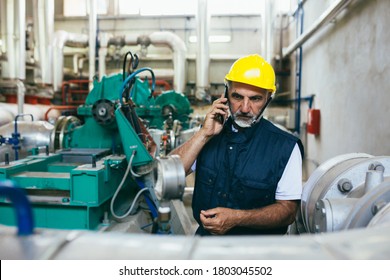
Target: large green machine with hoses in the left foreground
<point x="75" y="185"/>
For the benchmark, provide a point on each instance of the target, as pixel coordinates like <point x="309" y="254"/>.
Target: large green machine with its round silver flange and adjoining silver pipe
<point x="89" y="171"/>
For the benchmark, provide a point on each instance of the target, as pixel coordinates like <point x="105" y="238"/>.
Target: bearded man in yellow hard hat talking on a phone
<point x="248" y="172"/>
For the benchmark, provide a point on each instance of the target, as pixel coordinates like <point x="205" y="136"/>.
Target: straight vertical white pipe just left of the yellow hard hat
<point x="203" y="57"/>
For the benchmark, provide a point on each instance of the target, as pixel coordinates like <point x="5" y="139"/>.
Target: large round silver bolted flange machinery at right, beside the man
<point x="346" y="192"/>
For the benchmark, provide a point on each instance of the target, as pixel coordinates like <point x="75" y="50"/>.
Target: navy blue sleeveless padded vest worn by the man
<point x="241" y="171"/>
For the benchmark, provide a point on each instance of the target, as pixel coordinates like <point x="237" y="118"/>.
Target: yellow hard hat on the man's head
<point x="253" y="70"/>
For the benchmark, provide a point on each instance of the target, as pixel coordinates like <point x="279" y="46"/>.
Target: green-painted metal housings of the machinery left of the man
<point x="72" y="187"/>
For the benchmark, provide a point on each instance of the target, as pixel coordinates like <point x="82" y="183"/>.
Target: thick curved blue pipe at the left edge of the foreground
<point x="21" y="204"/>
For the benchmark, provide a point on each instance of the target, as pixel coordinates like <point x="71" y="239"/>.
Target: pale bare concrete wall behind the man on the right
<point x="346" y="66"/>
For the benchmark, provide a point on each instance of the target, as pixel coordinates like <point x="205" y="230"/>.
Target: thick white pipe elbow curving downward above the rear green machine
<point x="179" y="49"/>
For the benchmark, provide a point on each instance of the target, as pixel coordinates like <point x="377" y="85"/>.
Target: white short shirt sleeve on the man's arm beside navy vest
<point x="290" y="185"/>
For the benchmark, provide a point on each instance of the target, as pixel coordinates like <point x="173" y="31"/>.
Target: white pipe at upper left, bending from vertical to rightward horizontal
<point x="62" y="38"/>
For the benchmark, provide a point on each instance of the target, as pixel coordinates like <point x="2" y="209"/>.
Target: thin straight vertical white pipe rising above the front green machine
<point x="92" y="40"/>
